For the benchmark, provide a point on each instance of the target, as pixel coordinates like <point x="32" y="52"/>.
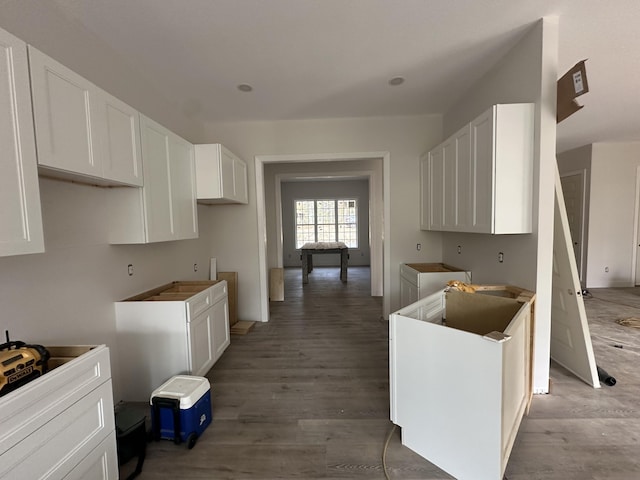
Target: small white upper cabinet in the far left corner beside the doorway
<point x="221" y="175"/>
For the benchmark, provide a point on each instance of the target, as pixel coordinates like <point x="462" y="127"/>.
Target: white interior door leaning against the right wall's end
<point x="570" y="338"/>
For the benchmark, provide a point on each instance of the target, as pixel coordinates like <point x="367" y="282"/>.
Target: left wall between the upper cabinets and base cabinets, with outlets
<point x="65" y="296"/>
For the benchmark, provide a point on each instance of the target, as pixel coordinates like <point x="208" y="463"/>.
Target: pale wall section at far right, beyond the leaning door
<point x="613" y="214"/>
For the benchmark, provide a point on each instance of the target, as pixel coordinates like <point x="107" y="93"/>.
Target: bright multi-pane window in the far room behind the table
<point x="327" y="221"/>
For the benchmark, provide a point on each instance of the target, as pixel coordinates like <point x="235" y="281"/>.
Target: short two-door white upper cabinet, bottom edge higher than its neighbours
<point x="82" y="132"/>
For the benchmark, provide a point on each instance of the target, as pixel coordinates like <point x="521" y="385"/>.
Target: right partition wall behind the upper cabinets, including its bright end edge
<point x="528" y="73"/>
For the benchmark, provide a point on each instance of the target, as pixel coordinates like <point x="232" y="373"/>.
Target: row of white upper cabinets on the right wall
<point x="481" y="178"/>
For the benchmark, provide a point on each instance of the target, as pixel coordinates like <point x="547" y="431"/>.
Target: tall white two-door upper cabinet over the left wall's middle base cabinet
<point x="165" y="208"/>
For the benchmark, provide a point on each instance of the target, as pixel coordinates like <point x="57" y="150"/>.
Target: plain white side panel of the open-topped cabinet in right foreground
<point x="447" y="387"/>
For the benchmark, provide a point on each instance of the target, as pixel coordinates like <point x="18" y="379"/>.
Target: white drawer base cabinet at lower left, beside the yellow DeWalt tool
<point x="61" y="425"/>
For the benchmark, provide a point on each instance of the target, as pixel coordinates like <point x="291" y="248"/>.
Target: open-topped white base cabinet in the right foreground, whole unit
<point x="460" y="379"/>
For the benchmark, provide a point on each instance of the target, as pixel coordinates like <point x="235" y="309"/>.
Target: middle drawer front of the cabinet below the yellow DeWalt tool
<point x="58" y="446"/>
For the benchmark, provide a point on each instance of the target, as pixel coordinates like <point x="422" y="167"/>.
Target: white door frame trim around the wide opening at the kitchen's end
<point x="379" y="226"/>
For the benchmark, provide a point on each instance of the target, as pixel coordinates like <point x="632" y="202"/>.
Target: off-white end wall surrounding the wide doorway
<point x="405" y="138"/>
